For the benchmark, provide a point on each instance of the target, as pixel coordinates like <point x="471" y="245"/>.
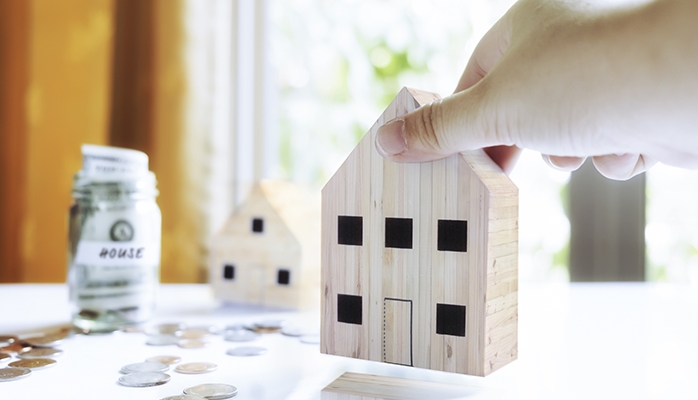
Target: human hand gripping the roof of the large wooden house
<point x="571" y="81"/>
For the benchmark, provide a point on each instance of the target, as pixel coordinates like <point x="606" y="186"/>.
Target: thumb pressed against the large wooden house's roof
<point x="437" y="130"/>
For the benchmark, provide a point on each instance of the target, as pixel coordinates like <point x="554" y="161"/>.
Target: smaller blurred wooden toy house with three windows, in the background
<point x="267" y="252"/>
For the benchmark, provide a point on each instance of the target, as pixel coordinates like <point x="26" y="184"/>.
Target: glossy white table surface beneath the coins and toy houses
<point x="577" y="341"/>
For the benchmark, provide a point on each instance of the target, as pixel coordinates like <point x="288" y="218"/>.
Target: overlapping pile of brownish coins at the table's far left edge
<point x="33" y="353"/>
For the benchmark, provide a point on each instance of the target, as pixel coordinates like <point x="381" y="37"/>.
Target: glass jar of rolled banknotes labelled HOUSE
<point x="114" y="240"/>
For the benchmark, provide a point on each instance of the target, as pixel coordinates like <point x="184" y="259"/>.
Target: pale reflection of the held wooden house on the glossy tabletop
<point x="352" y="386"/>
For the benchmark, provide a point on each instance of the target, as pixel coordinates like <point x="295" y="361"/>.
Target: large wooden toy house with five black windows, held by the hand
<point x="420" y="260"/>
